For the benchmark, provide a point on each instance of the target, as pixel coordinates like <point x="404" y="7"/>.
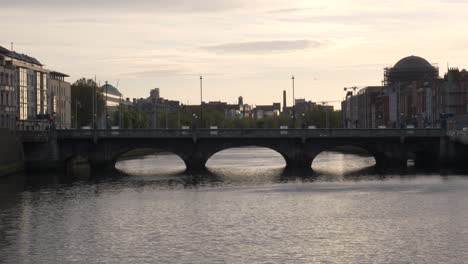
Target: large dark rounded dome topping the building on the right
<point x="412" y="68"/>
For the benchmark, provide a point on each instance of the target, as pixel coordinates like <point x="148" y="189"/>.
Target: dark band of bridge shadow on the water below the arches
<point x="207" y="178"/>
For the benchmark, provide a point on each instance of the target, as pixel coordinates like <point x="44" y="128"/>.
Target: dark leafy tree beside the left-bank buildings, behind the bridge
<point x="82" y="92"/>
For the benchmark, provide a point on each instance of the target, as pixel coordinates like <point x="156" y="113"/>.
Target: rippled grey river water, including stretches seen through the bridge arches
<point x="244" y="210"/>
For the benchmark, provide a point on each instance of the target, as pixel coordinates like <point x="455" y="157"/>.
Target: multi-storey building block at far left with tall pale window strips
<point x="33" y="93"/>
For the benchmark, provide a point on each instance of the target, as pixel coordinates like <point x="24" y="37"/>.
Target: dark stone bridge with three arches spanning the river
<point x="391" y="148"/>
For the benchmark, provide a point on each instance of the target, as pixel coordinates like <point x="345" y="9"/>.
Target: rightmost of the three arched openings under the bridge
<point x="343" y="161"/>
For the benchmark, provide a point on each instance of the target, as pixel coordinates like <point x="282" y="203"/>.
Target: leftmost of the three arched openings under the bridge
<point x="149" y="162"/>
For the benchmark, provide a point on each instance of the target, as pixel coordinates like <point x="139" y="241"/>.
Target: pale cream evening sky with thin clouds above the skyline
<point x="248" y="48"/>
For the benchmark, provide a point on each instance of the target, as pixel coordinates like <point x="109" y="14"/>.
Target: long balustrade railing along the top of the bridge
<point x="247" y="133"/>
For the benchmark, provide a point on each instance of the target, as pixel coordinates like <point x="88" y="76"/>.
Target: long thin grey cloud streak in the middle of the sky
<point x="267" y="47"/>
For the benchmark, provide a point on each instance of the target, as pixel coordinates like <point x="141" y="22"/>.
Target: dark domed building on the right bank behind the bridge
<point x="412" y="94"/>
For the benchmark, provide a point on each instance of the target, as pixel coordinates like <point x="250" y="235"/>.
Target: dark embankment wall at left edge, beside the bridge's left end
<point x="11" y="153"/>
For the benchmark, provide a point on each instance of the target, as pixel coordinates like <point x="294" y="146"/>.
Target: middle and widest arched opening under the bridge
<point x="250" y="162"/>
